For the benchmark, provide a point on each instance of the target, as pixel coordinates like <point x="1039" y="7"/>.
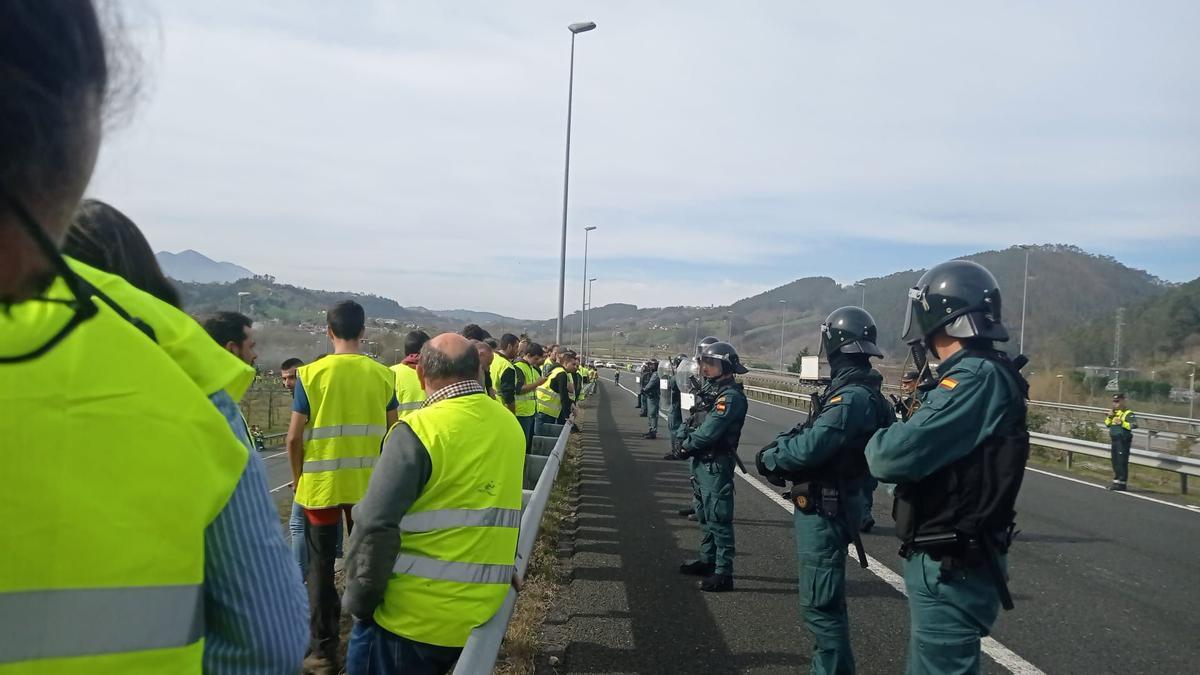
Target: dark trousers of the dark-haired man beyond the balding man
<point x="325" y="605"/>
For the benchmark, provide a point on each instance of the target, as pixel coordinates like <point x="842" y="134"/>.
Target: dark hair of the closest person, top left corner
<point x="55" y="76"/>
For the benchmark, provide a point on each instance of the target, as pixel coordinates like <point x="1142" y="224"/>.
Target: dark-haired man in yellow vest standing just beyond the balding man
<point x="343" y="410"/>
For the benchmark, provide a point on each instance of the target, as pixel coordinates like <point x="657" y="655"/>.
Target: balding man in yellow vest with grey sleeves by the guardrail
<point x="433" y="554"/>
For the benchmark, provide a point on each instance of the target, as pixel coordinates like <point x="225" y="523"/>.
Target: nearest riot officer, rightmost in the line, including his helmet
<point x="958" y="465"/>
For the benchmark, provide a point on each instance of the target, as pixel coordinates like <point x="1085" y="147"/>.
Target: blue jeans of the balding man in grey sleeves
<point x="377" y="652"/>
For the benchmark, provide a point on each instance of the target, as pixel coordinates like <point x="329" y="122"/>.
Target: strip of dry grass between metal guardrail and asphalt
<point x="544" y="577"/>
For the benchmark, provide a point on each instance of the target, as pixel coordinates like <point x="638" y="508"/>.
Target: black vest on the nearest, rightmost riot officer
<point x="974" y="497"/>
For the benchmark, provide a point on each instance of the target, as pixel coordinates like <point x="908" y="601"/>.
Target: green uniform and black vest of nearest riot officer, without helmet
<point x="958" y="464"/>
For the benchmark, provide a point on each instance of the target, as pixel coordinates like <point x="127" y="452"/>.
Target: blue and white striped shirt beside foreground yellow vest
<point x="256" y="611"/>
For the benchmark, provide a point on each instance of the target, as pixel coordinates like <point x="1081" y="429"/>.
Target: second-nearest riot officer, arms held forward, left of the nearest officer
<point x="824" y="459"/>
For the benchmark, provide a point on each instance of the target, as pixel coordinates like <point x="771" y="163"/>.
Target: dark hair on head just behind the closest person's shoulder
<point x="107" y="240"/>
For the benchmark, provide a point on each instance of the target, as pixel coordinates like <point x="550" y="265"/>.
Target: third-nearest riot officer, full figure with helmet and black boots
<point x="711" y="440"/>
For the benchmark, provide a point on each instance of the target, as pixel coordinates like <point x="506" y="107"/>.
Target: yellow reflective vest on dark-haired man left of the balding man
<point x="349" y="397"/>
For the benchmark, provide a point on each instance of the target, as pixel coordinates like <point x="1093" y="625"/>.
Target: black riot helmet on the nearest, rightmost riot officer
<point x="959" y="297"/>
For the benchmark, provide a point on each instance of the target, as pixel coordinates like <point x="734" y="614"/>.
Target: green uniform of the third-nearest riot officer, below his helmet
<point x="712" y="440"/>
